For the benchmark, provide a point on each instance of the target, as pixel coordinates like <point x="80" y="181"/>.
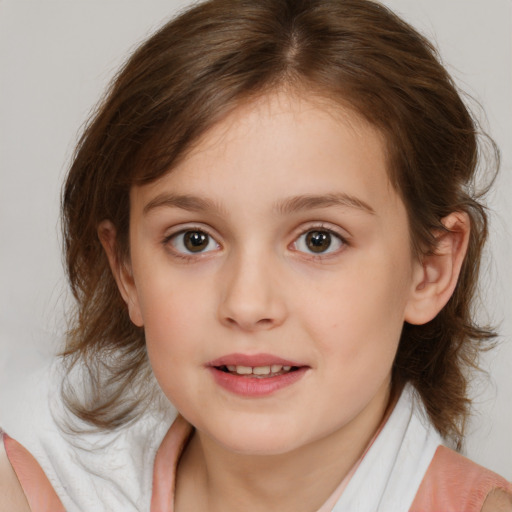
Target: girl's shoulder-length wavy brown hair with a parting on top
<point x="203" y="64"/>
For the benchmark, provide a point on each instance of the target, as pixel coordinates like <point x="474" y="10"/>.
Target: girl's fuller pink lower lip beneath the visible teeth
<point x="256" y="386"/>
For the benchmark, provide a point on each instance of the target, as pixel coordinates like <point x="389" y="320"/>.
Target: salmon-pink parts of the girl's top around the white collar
<point x="451" y="484"/>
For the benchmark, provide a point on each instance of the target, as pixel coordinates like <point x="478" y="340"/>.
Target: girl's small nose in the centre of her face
<point x="251" y="298"/>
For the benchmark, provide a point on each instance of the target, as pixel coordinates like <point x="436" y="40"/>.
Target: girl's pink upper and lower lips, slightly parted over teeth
<point x="252" y="386"/>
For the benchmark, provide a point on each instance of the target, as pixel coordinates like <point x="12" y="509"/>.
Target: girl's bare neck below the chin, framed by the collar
<point x="212" y="478"/>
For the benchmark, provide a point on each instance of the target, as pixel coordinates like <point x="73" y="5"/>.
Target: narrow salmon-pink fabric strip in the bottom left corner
<point x="39" y="492"/>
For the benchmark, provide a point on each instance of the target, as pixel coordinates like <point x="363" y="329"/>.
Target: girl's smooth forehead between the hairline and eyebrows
<point x="279" y="145"/>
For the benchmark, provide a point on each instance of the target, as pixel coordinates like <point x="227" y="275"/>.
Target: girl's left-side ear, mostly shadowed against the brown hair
<point x="121" y="271"/>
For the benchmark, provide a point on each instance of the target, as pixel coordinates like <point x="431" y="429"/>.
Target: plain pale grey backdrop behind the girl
<point x="56" y="57"/>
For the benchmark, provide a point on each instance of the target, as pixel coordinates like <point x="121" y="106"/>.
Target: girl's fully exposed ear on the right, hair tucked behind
<point x="436" y="274"/>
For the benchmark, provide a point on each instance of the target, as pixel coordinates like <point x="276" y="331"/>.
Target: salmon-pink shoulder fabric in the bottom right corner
<point x="453" y="483"/>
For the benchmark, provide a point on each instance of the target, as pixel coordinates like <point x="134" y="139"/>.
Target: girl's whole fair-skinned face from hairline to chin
<point x="278" y="241"/>
